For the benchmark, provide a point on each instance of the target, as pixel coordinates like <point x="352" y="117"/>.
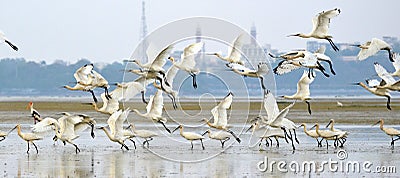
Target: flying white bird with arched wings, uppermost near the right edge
<point x="372" y="47"/>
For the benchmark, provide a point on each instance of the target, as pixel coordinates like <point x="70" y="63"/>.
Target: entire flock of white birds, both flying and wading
<point x="274" y="125"/>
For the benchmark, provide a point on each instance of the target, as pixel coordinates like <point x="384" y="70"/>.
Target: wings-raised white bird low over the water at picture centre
<point x="221" y="117"/>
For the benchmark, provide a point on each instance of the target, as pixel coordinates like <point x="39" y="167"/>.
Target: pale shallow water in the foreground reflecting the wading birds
<point x="170" y="155"/>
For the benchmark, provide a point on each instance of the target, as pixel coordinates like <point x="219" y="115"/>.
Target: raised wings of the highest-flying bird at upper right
<point x="322" y="20"/>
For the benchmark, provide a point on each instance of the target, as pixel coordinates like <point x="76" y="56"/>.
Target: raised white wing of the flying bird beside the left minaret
<point x="189" y="54"/>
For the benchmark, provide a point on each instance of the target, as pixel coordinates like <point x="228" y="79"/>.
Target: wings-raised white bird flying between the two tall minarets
<point x="234" y="51"/>
